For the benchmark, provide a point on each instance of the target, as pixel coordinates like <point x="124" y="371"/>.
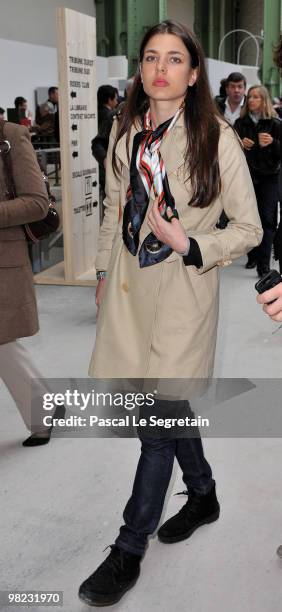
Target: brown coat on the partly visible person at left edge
<point x="17" y="297"/>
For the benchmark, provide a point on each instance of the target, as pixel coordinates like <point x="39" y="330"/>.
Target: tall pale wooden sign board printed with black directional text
<point x="78" y="125"/>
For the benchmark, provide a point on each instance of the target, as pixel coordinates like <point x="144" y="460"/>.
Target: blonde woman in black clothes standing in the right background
<point x="260" y="130"/>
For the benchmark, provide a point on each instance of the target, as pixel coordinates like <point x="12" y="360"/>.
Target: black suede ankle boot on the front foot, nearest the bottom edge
<point x="116" y="575"/>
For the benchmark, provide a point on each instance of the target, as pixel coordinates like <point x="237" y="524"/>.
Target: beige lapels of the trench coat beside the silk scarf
<point x="172" y="148"/>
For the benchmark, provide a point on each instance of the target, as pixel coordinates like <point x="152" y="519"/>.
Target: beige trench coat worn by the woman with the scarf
<point x="161" y="321"/>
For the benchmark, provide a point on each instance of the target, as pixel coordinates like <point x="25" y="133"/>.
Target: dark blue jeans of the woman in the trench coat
<point x="143" y="510"/>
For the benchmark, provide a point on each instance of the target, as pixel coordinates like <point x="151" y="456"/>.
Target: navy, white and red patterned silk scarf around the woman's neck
<point x="146" y="170"/>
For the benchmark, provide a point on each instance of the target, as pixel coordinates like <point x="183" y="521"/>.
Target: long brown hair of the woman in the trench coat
<point x="200" y="116"/>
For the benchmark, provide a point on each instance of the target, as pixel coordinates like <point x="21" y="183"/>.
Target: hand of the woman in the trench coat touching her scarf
<point x="171" y="233"/>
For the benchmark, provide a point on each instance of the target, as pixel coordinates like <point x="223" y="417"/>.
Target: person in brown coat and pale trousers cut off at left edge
<point x="17" y="297"/>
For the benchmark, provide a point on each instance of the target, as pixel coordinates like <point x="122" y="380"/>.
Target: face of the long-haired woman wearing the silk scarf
<point x="166" y="68"/>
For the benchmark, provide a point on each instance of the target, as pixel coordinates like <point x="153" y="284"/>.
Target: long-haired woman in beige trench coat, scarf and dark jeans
<point x="158" y="270"/>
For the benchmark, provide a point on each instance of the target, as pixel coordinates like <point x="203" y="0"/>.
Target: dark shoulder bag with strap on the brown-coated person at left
<point x="36" y="230"/>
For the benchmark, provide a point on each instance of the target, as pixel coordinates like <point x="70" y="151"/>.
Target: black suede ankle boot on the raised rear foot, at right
<point x="199" y="510"/>
